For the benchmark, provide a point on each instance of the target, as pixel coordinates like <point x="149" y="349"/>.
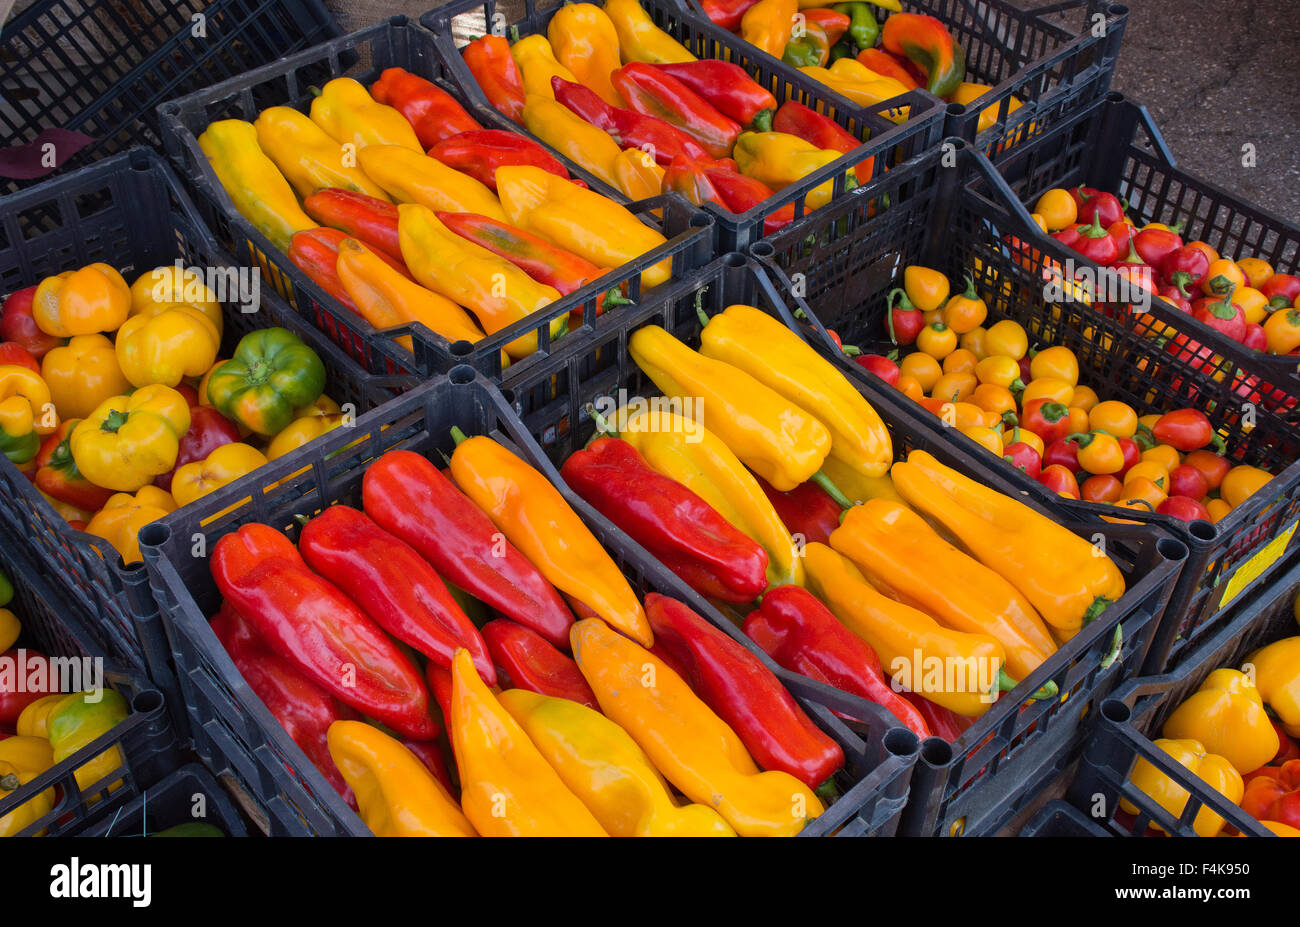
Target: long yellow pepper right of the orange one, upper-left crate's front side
<point x="497" y="292"/>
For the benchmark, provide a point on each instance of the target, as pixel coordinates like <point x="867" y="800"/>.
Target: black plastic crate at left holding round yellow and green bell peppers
<point x="128" y="211"/>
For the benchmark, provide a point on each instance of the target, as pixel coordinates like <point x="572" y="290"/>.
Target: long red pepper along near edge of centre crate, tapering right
<point x="803" y="636"/>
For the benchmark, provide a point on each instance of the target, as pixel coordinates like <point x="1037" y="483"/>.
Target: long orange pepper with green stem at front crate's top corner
<point x="536" y="518"/>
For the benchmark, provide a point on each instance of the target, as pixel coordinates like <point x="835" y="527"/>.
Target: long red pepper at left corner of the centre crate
<point x="688" y="536"/>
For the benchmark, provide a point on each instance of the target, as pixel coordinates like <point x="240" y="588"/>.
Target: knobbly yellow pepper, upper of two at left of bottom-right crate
<point x="1227" y="714"/>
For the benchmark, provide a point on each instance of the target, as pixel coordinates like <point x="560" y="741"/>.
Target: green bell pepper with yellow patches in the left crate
<point x="271" y="375"/>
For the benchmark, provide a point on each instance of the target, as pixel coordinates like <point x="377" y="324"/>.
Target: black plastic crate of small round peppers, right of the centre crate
<point x="967" y="219"/>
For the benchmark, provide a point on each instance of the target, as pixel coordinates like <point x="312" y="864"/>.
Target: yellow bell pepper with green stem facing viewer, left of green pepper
<point x="129" y="440"/>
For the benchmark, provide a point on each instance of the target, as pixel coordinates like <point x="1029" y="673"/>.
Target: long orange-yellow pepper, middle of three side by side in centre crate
<point x="903" y="557"/>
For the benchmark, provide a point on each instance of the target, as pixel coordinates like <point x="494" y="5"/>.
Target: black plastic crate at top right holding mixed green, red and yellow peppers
<point x="1054" y="60"/>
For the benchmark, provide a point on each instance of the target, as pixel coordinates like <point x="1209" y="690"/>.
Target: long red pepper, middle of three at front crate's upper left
<point x="393" y="584"/>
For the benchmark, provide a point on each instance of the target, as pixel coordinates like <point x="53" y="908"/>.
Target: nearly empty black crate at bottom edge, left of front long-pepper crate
<point x="189" y="796"/>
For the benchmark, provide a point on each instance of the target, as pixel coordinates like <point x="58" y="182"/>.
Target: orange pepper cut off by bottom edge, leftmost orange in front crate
<point x="396" y="795"/>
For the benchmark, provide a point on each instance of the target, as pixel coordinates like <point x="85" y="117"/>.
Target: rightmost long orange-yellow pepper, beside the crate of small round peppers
<point x="1058" y="571"/>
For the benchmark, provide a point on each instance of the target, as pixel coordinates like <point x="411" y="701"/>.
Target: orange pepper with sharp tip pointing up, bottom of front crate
<point x="508" y="789"/>
